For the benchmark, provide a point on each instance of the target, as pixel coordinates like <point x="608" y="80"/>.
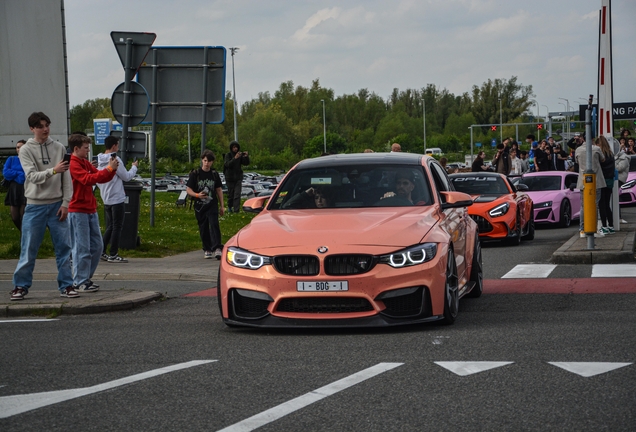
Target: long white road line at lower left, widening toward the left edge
<point x="18" y="404"/>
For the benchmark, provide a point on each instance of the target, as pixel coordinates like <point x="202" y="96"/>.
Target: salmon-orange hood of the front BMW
<point x="367" y="230"/>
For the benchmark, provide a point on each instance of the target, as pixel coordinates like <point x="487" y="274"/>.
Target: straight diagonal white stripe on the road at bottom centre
<point x="300" y="402"/>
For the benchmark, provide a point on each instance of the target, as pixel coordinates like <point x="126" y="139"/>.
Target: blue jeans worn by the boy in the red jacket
<point x="87" y="245"/>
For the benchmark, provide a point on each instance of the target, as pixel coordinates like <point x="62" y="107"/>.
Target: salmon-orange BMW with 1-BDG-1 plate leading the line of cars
<point x="370" y="239"/>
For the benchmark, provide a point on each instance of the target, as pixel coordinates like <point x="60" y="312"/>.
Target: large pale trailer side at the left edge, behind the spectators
<point x="33" y="72"/>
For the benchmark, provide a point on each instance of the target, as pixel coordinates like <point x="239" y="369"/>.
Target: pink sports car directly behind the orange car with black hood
<point x="556" y="200"/>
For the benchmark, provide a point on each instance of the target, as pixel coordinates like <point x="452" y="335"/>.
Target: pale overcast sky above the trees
<point x="374" y="44"/>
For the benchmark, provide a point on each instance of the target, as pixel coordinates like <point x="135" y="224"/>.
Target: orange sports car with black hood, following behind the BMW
<point x="501" y="210"/>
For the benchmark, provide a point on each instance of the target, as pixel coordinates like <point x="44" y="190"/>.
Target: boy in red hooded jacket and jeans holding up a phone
<point x="86" y="237"/>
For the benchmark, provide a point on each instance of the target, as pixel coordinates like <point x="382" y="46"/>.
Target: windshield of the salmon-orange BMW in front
<point x="348" y="186"/>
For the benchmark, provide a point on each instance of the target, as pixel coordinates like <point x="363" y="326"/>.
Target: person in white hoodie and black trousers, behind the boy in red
<point x="114" y="198"/>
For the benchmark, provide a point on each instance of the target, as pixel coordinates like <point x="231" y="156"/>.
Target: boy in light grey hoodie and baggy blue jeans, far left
<point x="48" y="190"/>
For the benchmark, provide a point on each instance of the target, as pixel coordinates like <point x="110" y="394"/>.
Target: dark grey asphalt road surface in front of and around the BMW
<point x="335" y="380"/>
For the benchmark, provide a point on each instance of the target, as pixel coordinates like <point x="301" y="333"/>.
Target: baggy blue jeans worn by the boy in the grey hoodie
<point x="34" y="223"/>
